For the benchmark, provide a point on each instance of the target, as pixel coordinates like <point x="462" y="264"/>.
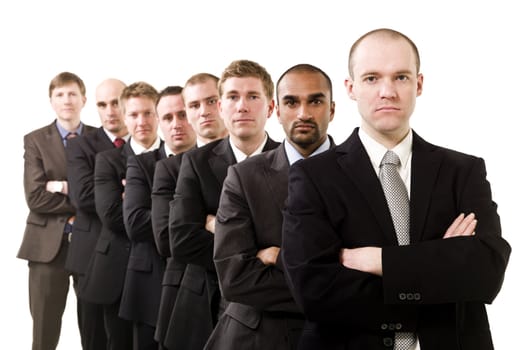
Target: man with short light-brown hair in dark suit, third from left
<point x="106" y="271"/>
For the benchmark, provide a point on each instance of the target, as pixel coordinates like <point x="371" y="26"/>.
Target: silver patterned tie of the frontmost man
<point x="399" y="205"/>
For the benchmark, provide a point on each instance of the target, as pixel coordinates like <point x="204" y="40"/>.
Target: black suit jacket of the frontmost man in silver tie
<point x="435" y="287"/>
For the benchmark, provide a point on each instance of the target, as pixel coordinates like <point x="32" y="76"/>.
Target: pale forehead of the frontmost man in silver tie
<point x="381" y="53"/>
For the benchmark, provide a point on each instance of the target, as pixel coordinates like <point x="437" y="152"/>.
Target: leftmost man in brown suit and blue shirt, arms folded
<point x="51" y="214"/>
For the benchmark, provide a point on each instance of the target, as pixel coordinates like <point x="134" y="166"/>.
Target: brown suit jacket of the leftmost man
<point x="44" y="160"/>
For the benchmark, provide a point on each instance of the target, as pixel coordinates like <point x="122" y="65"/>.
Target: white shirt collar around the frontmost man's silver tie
<point x="376" y="150"/>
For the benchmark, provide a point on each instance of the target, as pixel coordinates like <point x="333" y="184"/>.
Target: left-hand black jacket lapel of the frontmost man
<point x="355" y="162"/>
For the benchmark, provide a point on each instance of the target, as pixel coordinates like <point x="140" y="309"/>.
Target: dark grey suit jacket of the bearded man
<point x="250" y="219"/>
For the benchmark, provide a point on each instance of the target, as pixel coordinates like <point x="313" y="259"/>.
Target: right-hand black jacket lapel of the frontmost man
<point x="426" y="160"/>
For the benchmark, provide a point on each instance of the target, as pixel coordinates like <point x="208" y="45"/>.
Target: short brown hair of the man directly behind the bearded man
<point x="246" y="68"/>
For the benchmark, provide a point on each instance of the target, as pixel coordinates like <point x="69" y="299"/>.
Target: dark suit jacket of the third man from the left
<point x="107" y="268"/>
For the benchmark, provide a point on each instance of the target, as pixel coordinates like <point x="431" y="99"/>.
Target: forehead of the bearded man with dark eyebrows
<point x="303" y="83"/>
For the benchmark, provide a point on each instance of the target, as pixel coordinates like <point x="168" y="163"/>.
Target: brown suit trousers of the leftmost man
<point x="48" y="289"/>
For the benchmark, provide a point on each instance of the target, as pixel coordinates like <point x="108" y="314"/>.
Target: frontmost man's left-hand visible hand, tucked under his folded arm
<point x="365" y="259"/>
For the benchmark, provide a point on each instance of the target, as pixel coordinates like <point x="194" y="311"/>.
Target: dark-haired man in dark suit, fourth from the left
<point x="142" y="288"/>
